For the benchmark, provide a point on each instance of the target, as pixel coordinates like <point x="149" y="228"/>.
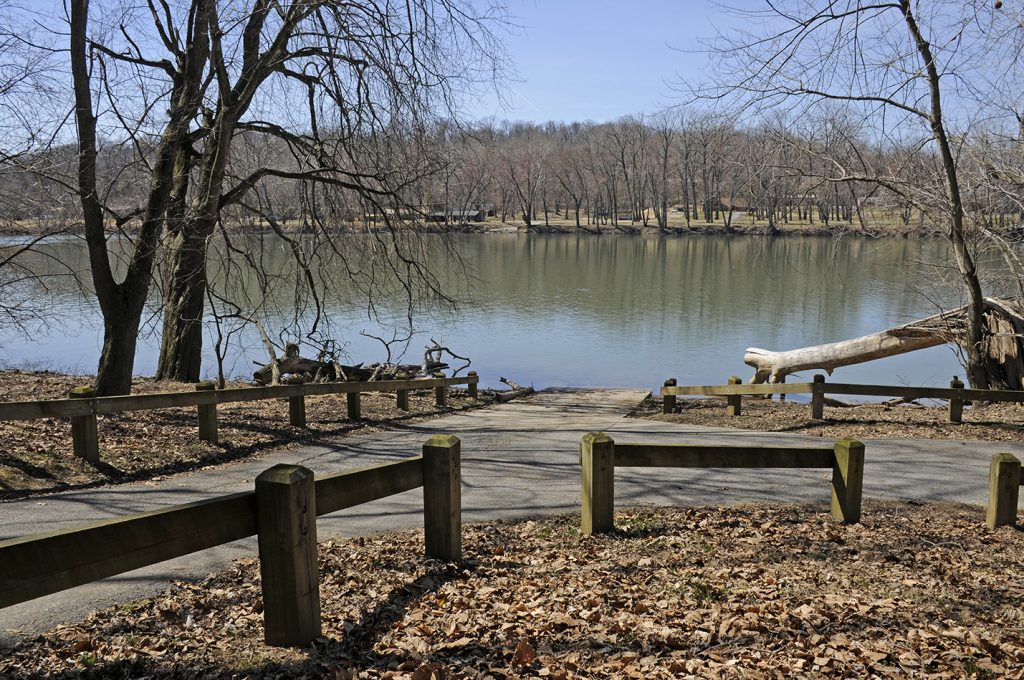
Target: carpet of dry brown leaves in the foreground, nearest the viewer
<point x="752" y="591"/>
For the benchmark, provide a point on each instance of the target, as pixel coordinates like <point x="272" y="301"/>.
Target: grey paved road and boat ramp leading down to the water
<point x="520" y="460"/>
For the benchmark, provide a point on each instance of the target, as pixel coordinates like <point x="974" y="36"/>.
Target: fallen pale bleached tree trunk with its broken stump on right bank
<point x="1002" y="347"/>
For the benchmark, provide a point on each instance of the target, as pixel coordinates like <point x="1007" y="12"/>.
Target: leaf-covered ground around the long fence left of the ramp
<point x="36" y="456"/>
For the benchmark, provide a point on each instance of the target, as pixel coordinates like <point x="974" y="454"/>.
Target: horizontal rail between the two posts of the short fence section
<point x="687" y="456"/>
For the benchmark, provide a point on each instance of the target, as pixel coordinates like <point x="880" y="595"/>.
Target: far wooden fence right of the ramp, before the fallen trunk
<point x="957" y="395"/>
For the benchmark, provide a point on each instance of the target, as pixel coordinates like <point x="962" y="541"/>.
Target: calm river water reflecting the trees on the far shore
<point x="609" y="311"/>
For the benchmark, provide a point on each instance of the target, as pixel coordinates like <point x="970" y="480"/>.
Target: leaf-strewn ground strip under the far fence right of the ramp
<point x="997" y="422"/>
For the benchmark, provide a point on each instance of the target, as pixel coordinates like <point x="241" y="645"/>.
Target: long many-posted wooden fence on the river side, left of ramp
<point x="83" y="406"/>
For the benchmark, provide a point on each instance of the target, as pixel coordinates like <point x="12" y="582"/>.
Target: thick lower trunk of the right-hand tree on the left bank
<point x="185" y="303"/>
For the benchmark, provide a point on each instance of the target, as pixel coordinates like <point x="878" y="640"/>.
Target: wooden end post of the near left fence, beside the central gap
<point x="443" y="497"/>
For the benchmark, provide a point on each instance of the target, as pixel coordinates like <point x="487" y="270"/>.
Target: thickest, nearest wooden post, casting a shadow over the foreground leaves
<point x="286" y="519"/>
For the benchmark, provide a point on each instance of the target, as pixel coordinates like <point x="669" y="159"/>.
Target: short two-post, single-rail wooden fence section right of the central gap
<point x="601" y="456"/>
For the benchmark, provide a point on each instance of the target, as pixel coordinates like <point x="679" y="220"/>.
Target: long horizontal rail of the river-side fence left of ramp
<point x="101" y="406"/>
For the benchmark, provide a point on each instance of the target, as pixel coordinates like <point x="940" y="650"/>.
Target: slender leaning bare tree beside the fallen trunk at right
<point x="893" y="63"/>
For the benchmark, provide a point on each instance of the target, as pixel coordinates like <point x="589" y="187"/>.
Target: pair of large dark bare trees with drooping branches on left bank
<point x="177" y="87"/>
